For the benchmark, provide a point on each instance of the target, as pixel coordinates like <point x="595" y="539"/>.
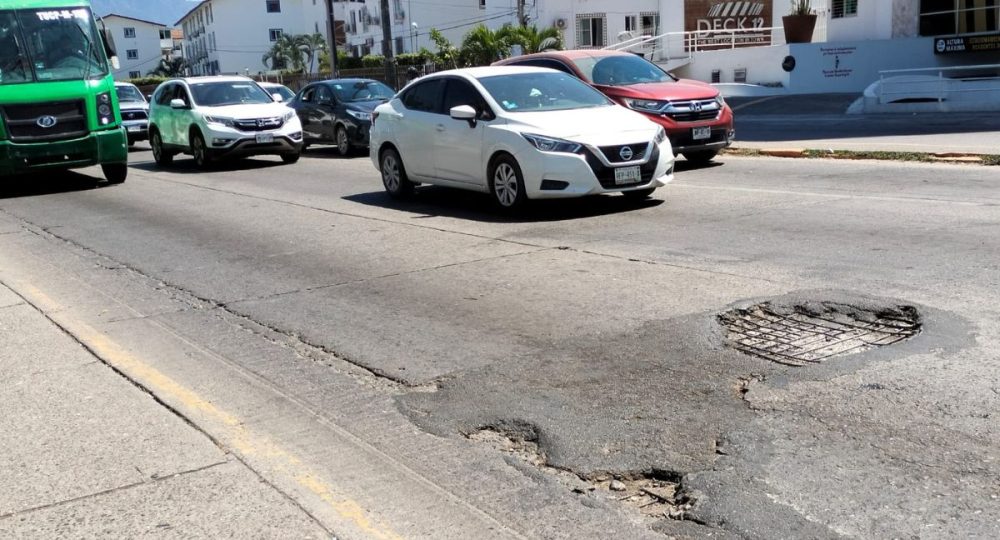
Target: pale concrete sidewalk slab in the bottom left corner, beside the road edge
<point x="86" y="454"/>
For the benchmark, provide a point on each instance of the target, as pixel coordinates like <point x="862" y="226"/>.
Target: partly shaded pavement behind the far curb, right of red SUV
<point x="820" y="122"/>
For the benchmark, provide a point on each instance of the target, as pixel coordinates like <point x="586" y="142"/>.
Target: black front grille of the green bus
<point x="24" y="122"/>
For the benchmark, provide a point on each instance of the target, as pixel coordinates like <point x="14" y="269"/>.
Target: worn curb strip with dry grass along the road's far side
<point x="928" y="157"/>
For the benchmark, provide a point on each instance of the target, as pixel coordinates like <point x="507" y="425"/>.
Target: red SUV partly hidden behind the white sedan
<point x="696" y="117"/>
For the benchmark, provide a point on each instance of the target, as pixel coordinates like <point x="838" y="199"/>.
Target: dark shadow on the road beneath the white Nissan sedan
<point x="435" y="201"/>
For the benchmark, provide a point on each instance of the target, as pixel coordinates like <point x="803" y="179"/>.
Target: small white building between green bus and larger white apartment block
<point x="141" y="44"/>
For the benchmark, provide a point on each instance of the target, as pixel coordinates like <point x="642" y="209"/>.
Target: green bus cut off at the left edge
<point x="58" y="106"/>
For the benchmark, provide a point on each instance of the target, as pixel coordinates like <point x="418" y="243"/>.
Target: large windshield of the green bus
<point x="49" y="45"/>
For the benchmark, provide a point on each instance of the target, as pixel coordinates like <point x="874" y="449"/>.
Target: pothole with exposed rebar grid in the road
<point x="798" y="337"/>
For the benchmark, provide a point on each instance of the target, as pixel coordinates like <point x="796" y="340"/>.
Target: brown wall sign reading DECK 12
<point x="723" y="24"/>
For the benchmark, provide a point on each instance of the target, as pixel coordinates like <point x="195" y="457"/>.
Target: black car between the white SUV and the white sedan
<point x="339" y="111"/>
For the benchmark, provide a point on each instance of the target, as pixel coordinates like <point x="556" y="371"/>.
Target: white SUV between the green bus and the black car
<point x="216" y="117"/>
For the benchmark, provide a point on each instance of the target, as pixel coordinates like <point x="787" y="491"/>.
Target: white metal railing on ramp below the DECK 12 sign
<point x="678" y="45"/>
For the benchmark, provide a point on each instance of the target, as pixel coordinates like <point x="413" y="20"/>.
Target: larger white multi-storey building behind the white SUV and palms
<point x="232" y="36"/>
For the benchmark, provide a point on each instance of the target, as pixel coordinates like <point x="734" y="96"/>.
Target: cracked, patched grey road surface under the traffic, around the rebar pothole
<point x="456" y="373"/>
